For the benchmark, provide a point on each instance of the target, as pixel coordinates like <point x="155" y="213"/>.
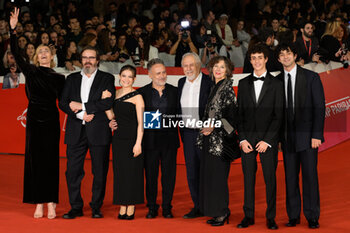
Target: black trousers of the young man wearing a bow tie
<point x="269" y="165"/>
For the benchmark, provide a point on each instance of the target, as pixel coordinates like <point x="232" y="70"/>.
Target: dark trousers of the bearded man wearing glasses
<point x="75" y="171"/>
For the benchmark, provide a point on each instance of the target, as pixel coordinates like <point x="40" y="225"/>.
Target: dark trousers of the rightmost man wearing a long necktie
<point x="307" y="159"/>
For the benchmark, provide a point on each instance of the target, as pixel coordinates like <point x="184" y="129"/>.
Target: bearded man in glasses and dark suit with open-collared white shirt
<point x="87" y="129"/>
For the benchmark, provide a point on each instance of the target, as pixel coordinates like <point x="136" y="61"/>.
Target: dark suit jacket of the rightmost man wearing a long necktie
<point x="309" y="108"/>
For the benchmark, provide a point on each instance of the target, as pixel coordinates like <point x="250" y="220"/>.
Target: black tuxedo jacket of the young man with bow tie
<point x="260" y="120"/>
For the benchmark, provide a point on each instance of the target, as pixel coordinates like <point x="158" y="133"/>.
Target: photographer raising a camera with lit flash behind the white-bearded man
<point x="184" y="42"/>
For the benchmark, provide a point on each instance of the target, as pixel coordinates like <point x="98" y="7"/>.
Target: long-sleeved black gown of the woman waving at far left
<point x="41" y="170"/>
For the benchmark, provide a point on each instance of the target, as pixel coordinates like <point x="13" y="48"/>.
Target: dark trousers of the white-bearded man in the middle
<point x="192" y="158"/>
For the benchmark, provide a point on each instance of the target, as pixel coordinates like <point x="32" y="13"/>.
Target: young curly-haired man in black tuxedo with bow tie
<point x="260" y="108"/>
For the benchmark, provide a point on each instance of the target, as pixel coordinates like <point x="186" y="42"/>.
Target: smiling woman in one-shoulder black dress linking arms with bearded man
<point x="127" y="122"/>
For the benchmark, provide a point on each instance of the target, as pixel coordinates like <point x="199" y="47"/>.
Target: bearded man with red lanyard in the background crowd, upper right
<point x="307" y="45"/>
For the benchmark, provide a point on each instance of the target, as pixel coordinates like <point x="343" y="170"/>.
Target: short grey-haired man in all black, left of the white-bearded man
<point x="160" y="145"/>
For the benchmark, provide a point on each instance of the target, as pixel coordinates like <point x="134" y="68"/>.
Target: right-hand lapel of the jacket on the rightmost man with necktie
<point x="300" y="89"/>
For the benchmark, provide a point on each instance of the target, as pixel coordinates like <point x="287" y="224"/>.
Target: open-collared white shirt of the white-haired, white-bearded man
<point x="190" y="99"/>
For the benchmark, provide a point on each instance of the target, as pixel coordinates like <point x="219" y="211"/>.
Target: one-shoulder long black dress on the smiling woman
<point x="128" y="170"/>
